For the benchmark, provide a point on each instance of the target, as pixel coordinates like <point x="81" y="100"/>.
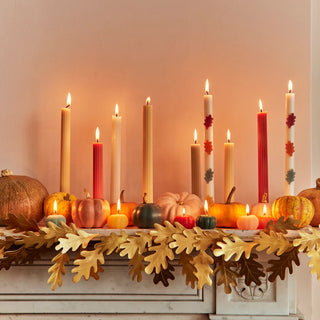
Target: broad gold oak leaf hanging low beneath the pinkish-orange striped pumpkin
<point x="91" y="261"/>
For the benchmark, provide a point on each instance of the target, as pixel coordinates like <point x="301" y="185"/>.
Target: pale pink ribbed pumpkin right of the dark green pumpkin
<point x="172" y="205"/>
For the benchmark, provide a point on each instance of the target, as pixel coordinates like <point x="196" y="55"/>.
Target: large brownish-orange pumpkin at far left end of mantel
<point x="21" y="195"/>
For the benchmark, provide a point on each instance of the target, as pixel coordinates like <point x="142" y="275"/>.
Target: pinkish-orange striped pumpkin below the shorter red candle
<point x="90" y="213"/>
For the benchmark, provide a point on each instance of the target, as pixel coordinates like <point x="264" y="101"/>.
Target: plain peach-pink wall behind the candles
<point x="108" y="52"/>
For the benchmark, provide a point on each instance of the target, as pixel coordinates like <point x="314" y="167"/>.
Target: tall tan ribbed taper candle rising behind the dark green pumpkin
<point x="147" y="165"/>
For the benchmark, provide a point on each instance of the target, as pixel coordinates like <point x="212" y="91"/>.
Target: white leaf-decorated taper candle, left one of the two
<point x="208" y="144"/>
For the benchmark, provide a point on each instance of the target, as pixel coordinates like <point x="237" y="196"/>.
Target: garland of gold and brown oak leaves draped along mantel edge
<point x="202" y="253"/>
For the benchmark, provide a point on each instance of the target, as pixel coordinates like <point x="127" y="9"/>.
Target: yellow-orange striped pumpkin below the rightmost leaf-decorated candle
<point x="299" y="207"/>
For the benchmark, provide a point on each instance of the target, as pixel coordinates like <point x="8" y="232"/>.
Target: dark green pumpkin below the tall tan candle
<point x="145" y="215"/>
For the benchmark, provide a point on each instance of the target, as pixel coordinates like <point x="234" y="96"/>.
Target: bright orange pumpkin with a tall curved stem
<point x="227" y="213"/>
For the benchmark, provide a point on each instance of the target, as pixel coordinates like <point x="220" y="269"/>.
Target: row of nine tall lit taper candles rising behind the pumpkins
<point x="197" y="175"/>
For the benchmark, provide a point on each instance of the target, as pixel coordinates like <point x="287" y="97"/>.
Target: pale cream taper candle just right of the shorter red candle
<point x="115" y="157"/>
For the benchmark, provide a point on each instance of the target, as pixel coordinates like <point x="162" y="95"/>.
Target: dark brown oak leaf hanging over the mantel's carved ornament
<point x="251" y="269"/>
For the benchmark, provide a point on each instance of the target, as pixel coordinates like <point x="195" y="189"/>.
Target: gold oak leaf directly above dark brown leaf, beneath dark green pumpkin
<point x="158" y="259"/>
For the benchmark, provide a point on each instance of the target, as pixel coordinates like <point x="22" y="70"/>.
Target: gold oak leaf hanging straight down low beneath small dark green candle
<point x="203" y="270"/>
